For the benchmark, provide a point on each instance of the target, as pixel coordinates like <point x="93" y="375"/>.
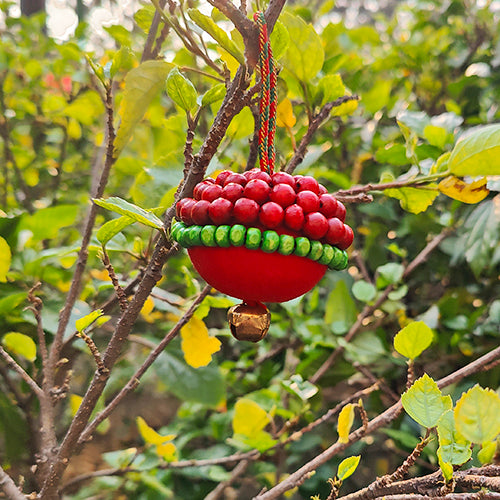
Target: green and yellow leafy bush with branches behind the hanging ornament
<point x="386" y="370"/>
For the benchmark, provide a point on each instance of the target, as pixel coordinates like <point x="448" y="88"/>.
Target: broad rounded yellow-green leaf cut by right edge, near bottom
<point x="477" y="415"/>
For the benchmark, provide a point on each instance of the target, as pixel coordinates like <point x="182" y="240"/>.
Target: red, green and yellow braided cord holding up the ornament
<point x="268" y="98"/>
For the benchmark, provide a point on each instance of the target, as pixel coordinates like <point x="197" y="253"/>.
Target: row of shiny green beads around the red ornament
<point x="253" y="238"/>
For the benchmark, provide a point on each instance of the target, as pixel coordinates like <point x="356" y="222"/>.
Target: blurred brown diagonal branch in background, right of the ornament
<point x="369" y="309"/>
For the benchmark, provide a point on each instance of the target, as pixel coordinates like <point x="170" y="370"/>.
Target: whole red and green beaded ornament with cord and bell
<point x="262" y="236"/>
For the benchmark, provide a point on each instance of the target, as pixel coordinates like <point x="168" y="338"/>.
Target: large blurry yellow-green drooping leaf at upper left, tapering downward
<point x="142" y="85"/>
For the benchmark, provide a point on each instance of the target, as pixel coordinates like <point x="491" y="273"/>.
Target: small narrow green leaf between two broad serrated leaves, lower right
<point x="453" y="447"/>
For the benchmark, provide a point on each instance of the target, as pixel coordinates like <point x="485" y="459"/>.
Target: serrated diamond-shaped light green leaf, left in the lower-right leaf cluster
<point x="424" y="402"/>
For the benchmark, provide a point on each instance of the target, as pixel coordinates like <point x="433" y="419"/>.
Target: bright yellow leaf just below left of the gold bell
<point x="197" y="345"/>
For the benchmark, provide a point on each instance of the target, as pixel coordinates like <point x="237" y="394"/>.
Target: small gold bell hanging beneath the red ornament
<point x="249" y="322"/>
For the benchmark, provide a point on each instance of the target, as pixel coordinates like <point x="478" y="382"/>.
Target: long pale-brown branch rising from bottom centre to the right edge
<point x="381" y="420"/>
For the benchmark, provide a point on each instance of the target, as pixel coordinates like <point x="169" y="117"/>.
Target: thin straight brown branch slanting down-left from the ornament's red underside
<point x="134" y="380"/>
